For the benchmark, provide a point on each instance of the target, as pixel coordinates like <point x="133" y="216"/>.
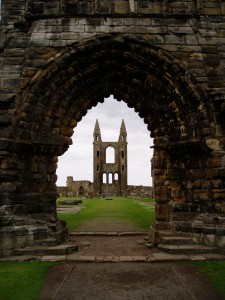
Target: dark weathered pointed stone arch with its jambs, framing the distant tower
<point x="156" y="85"/>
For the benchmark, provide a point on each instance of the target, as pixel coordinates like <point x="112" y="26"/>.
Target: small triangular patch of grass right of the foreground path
<point x="215" y="271"/>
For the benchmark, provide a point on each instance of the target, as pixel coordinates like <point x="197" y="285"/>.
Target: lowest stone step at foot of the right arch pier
<point x="186" y="249"/>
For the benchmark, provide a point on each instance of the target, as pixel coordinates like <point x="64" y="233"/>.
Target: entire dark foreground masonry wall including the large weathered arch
<point x="165" y="59"/>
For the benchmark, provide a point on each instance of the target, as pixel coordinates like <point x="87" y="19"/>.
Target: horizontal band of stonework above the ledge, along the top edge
<point x="32" y="8"/>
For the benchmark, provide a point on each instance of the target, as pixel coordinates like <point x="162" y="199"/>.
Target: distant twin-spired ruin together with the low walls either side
<point x="110" y="178"/>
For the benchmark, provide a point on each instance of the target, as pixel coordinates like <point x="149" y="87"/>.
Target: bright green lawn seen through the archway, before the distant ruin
<point x="118" y="208"/>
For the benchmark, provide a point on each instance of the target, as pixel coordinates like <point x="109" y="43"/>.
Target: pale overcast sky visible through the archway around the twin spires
<point x="78" y="160"/>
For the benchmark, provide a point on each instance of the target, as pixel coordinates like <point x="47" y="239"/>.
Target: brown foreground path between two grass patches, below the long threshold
<point x="125" y="281"/>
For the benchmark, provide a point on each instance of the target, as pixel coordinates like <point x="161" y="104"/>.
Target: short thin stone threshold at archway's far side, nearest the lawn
<point x="107" y="233"/>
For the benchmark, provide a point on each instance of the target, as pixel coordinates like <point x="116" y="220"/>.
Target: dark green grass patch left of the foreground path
<point x="22" y="281"/>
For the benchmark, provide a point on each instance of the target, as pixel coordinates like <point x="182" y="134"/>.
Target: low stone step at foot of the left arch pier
<point x="62" y="249"/>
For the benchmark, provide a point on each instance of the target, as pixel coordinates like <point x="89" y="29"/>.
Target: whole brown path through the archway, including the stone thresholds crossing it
<point x="115" y="264"/>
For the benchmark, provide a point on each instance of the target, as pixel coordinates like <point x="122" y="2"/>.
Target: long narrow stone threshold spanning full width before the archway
<point x="153" y="258"/>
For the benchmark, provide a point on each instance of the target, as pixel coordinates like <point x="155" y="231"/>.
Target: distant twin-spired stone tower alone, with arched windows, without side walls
<point x="110" y="178"/>
